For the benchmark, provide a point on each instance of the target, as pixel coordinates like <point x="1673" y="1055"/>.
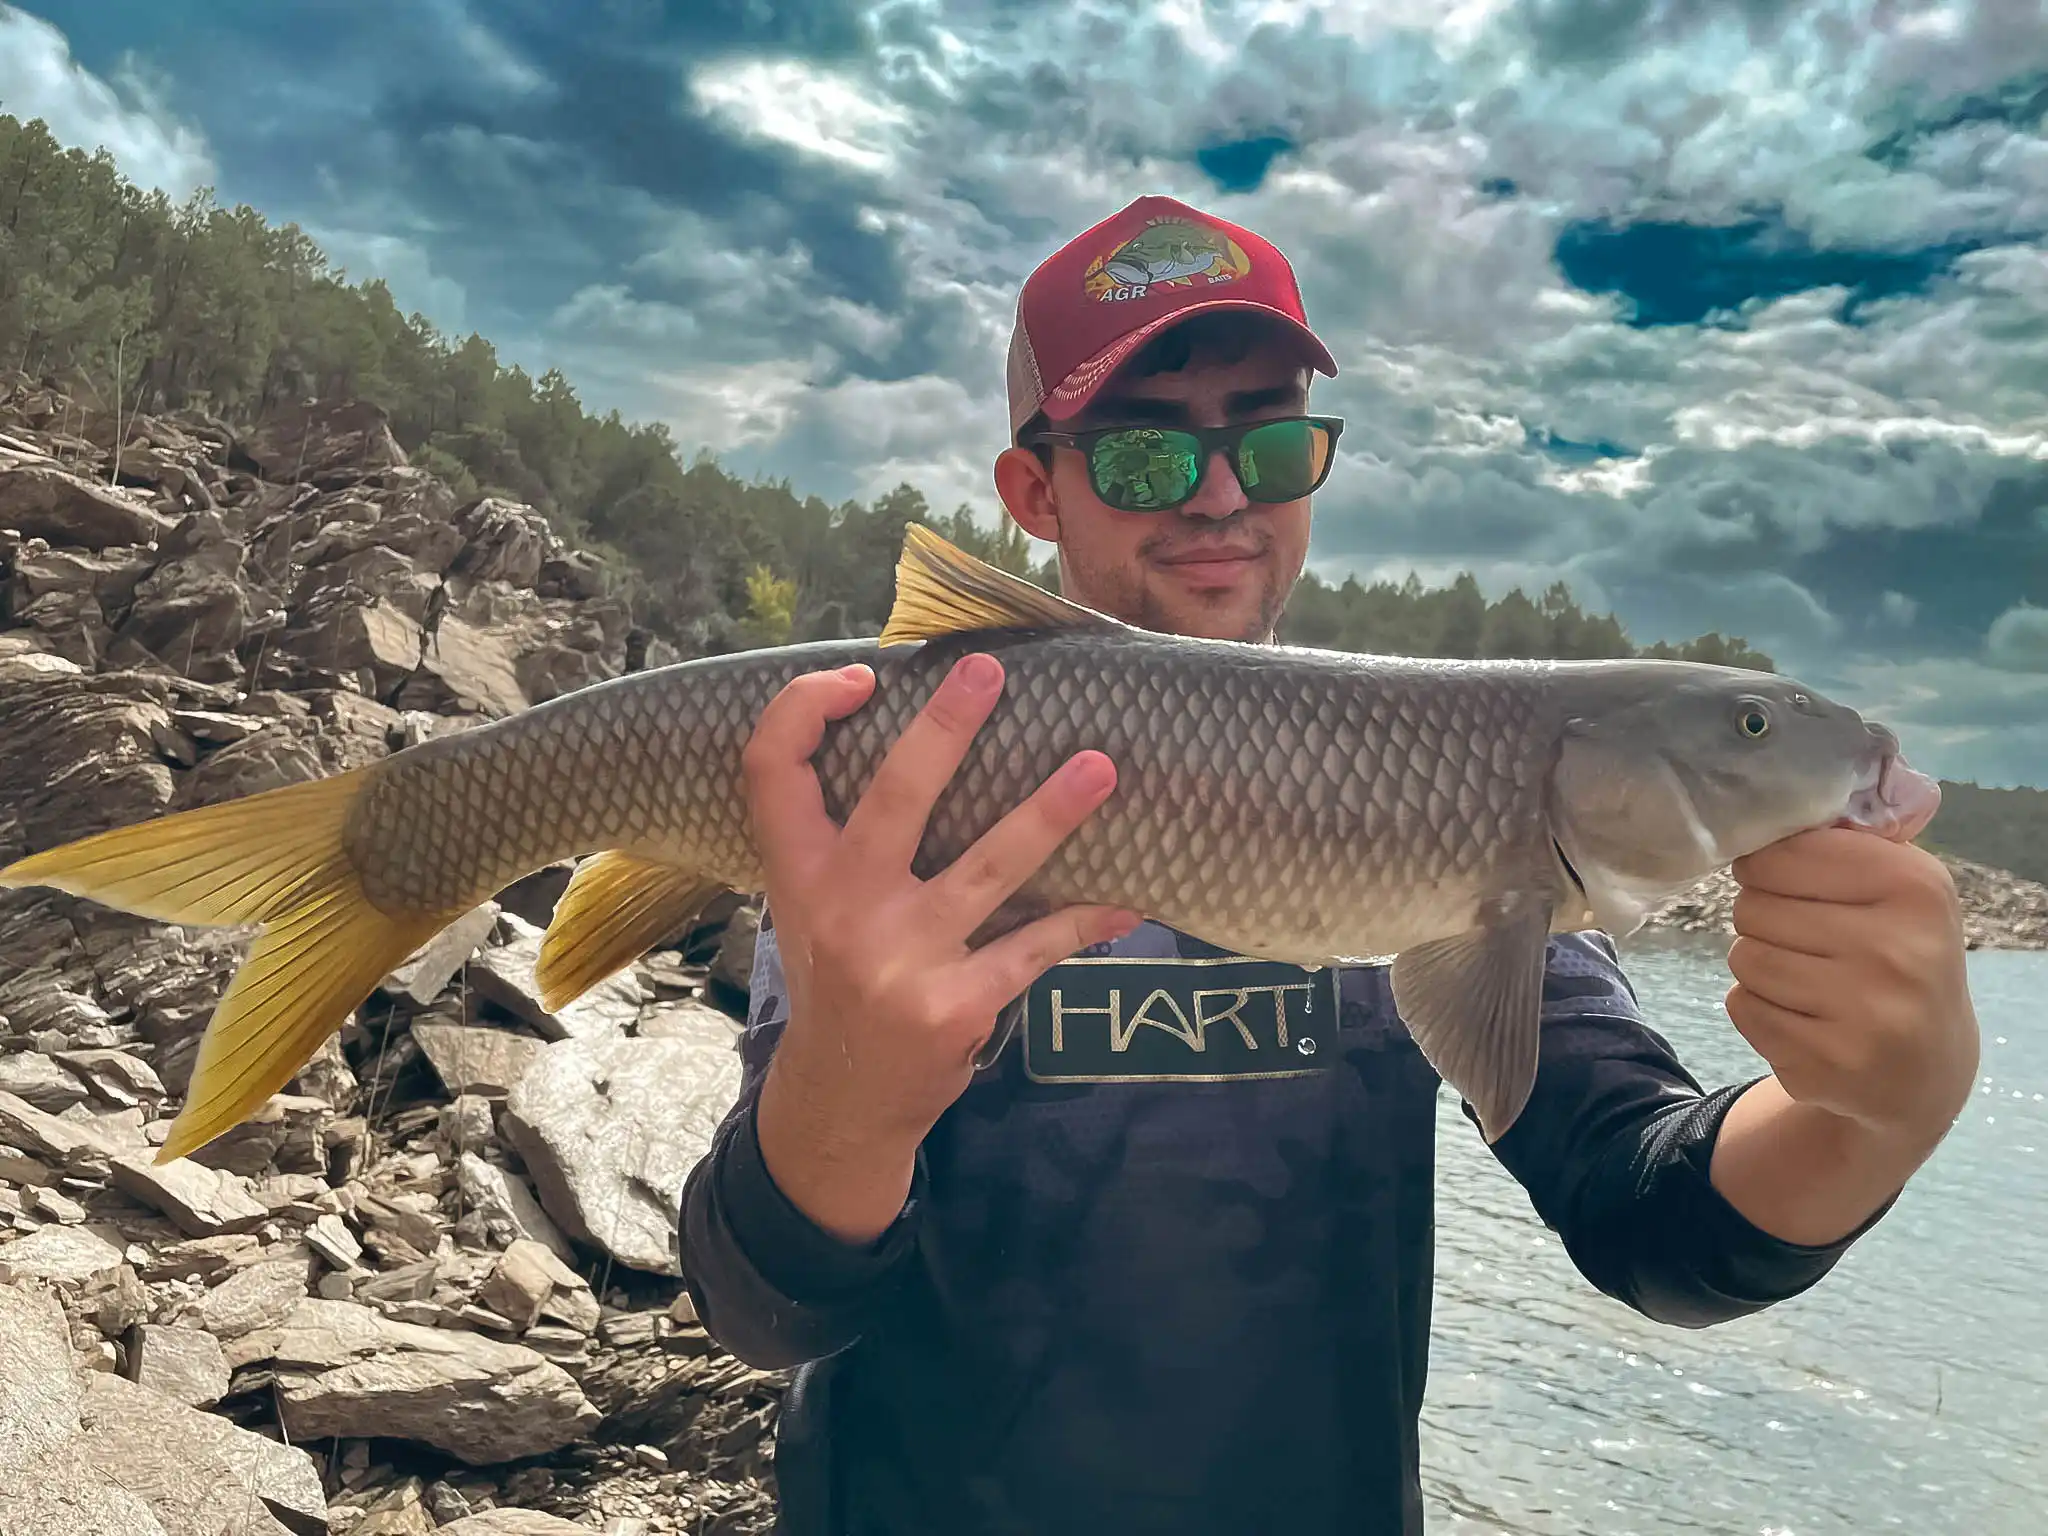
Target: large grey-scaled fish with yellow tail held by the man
<point x="1306" y="806"/>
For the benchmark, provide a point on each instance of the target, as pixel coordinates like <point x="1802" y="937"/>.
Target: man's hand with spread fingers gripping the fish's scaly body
<point x="886" y="1002"/>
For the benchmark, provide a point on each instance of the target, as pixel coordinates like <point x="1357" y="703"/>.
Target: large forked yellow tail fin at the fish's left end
<point x="271" y="859"/>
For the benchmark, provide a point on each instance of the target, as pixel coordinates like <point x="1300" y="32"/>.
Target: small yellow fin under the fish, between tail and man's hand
<point x="615" y="910"/>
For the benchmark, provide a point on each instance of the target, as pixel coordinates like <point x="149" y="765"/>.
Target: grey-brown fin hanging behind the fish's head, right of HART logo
<point x="1474" y="1005"/>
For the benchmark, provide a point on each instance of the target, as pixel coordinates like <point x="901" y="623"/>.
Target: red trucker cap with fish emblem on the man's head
<point x="1105" y="294"/>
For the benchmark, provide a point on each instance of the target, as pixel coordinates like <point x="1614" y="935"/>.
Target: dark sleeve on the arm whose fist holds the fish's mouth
<point x="1615" y="1152"/>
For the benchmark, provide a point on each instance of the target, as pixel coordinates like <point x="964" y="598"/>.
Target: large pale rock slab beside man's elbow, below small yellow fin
<point x="613" y="1127"/>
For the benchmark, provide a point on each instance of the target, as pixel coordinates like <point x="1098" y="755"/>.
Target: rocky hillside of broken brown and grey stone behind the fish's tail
<point x="431" y="1285"/>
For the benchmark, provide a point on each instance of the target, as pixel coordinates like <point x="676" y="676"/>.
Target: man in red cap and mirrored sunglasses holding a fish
<point x="1029" y="1299"/>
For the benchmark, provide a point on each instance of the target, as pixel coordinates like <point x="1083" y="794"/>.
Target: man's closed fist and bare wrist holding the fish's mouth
<point x="1850" y="982"/>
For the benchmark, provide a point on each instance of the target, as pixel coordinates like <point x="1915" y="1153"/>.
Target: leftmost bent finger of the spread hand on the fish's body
<point x="792" y="826"/>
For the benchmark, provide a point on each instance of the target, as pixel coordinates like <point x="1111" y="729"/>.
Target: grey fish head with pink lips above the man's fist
<point x="1670" y="771"/>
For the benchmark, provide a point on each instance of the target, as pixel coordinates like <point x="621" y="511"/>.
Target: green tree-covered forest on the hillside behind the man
<point x="122" y="294"/>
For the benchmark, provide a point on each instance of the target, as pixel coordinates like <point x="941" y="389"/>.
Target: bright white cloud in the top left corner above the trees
<point x="42" y="79"/>
